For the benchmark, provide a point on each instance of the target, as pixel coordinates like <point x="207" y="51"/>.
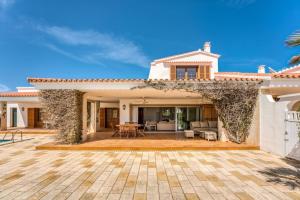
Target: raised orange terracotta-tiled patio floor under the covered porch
<point x="151" y="141"/>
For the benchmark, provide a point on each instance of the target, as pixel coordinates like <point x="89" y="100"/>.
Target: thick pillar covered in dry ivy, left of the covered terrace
<point x="62" y="110"/>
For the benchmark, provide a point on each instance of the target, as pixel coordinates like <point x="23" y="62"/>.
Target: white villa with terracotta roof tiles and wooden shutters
<point x="107" y="102"/>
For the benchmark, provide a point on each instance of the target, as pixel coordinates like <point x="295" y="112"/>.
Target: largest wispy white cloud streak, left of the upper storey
<point x="102" y="46"/>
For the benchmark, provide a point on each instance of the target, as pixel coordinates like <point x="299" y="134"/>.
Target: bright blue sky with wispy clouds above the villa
<point x="118" y="38"/>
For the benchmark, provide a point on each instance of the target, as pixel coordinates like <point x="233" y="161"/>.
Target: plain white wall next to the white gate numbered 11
<point x="272" y="125"/>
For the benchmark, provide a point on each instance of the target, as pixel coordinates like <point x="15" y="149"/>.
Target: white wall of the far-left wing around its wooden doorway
<point x="22" y="121"/>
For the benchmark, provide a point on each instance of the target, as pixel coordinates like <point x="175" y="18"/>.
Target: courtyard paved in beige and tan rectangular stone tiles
<point x="26" y="173"/>
